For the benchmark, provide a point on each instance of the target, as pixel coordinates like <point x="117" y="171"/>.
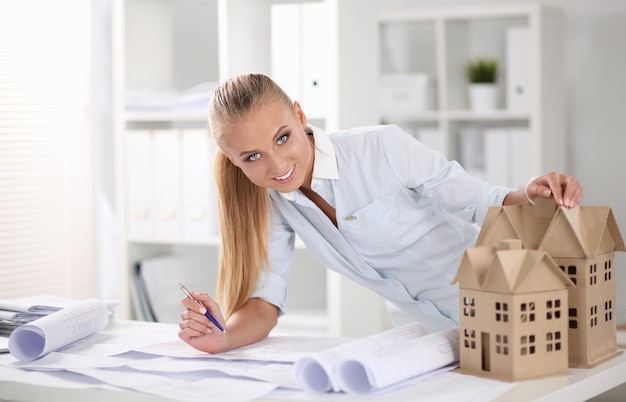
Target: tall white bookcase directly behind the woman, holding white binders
<point x="164" y="48"/>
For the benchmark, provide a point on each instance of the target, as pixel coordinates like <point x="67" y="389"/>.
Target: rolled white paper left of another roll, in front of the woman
<point x="317" y="372"/>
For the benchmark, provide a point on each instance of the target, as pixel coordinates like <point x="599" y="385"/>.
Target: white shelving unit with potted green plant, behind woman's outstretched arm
<point x="525" y="135"/>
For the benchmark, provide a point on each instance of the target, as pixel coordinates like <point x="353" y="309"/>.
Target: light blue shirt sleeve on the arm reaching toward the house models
<point x="443" y="183"/>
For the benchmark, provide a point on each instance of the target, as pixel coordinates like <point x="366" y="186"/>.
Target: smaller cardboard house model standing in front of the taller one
<point x="513" y="307"/>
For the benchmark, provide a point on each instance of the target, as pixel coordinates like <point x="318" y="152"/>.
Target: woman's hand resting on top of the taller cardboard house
<point x="566" y="190"/>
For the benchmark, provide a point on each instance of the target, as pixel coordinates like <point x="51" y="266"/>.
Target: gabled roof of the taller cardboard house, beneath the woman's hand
<point x="581" y="232"/>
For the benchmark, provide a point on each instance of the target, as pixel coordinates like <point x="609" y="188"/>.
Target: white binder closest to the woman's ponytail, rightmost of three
<point x="199" y="195"/>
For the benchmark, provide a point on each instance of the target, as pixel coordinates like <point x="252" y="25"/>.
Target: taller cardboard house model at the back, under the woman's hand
<point x="582" y="242"/>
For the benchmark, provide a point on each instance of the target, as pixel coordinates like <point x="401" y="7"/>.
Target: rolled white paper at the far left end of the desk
<point x="31" y="341"/>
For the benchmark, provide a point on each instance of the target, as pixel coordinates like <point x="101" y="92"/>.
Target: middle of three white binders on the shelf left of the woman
<point x="167" y="194"/>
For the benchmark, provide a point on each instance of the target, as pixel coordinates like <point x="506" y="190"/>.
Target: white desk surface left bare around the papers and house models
<point x="579" y="385"/>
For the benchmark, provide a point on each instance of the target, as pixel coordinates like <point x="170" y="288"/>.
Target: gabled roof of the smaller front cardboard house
<point x="509" y="269"/>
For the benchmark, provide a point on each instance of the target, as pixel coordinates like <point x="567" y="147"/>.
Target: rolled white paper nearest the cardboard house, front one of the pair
<point x="370" y="370"/>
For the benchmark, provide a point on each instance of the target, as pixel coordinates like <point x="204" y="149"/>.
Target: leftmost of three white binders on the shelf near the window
<point x="139" y="166"/>
